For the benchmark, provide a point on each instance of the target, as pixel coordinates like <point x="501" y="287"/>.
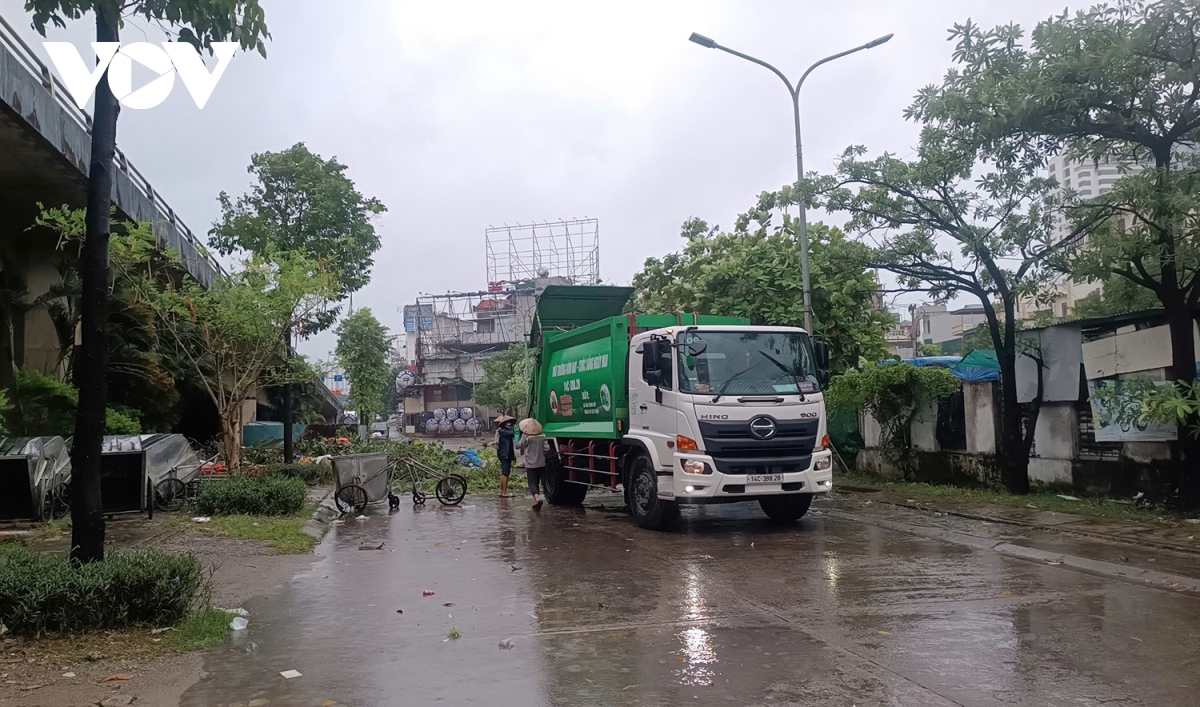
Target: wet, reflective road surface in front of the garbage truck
<point x="727" y="610"/>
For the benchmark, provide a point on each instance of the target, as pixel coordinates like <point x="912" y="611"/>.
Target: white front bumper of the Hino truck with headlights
<point x="719" y="488"/>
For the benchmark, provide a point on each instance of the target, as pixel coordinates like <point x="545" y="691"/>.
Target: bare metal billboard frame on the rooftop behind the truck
<point x="559" y="249"/>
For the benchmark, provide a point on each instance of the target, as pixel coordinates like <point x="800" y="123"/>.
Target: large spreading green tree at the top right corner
<point x="1115" y="81"/>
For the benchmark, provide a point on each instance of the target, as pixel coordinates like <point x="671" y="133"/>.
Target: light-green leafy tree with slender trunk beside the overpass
<point x="233" y="337"/>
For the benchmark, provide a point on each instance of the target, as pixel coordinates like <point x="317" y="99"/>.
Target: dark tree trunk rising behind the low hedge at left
<point x="87" y="507"/>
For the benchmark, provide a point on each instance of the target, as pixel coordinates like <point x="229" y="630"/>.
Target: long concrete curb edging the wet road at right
<point x="1095" y="567"/>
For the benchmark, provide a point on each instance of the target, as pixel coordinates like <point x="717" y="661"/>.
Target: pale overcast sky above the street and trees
<point x="460" y="116"/>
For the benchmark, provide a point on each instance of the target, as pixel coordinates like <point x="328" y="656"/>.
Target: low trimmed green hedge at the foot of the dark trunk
<point x="41" y="594"/>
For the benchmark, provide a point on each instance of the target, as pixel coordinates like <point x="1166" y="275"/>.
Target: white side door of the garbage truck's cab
<point x="653" y="399"/>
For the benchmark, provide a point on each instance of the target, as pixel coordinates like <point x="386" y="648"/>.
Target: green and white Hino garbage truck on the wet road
<point x="677" y="410"/>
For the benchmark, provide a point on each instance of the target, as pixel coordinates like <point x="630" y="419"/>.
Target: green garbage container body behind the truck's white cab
<point x="580" y="387"/>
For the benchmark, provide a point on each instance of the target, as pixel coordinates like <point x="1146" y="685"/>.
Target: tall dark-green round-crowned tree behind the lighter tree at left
<point x="304" y="203"/>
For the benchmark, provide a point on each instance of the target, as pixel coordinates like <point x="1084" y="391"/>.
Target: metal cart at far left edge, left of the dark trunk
<point x="35" y="477"/>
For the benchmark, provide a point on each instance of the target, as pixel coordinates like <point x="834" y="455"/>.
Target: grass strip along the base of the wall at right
<point x="1093" y="506"/>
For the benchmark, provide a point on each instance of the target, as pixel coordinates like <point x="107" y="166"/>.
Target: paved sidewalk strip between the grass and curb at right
<point x="1183" y="538"/>
